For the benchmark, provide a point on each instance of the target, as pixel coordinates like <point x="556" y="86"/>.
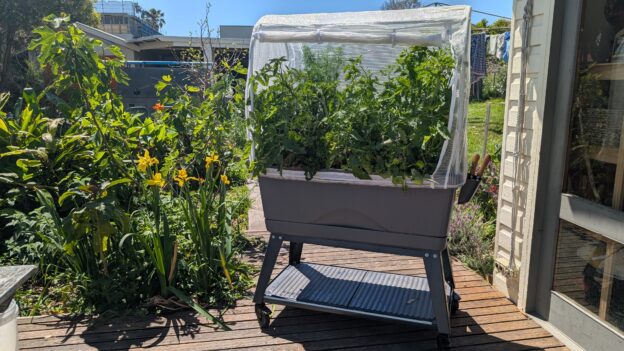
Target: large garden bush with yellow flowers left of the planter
<point x="130" y="209"/>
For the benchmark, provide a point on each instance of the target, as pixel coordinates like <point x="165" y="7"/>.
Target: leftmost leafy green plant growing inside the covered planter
<point x="292" y="111"/>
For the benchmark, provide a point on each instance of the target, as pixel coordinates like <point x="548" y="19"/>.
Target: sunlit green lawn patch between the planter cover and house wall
<point x="476" y="125"/>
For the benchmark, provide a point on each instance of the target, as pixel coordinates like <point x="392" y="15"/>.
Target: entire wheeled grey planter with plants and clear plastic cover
<point x="372" y="204"/>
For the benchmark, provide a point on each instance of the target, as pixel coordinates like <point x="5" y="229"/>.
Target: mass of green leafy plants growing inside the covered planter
<point x="304" y="119"/>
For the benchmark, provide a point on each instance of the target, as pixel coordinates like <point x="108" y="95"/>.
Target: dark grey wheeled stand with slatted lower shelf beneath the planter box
<point x="436" y="298"/>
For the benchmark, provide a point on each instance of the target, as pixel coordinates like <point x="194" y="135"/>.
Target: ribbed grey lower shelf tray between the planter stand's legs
<point x="354" y="292"/>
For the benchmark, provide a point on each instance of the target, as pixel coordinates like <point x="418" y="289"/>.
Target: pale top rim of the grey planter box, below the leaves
<point x="337" y="176"/>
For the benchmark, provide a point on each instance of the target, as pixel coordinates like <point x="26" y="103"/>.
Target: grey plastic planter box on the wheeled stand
<point x="338" y="206"/>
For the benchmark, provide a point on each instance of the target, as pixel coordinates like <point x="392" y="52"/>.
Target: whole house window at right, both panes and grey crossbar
<point x="590" y="252"/>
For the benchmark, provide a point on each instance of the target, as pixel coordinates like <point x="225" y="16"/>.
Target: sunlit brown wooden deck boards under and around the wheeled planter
<point x="485" y="321"/>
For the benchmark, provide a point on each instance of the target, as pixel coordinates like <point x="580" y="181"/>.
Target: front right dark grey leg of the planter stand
<point x="435" y="277"/>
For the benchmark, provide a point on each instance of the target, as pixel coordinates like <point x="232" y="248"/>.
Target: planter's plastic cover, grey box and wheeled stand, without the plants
<point x="342" y="211"/>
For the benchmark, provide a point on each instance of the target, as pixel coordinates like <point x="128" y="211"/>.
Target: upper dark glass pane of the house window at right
<point x="596" y="153"/>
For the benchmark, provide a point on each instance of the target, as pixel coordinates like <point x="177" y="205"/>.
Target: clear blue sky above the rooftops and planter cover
<point x="182" y="16"/>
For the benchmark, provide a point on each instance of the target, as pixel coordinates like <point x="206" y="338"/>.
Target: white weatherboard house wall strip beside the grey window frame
<point x="514" y="285"/>
